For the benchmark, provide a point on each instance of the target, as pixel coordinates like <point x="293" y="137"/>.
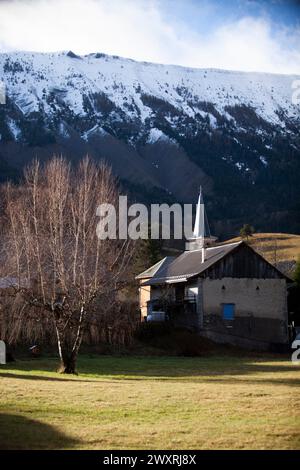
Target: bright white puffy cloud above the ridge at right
<point x="248" y="45"/>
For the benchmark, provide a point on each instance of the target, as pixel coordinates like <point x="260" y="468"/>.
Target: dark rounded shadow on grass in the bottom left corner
<point x="18" y="432"/>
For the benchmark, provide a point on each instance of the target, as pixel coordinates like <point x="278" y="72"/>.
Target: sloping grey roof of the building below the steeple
<point x="189" y="264"/>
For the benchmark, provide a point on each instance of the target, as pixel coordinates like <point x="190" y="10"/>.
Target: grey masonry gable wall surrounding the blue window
<point x="260" y="310"/>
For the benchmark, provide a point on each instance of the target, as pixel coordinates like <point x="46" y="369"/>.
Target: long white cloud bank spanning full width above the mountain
<point x="138" y="29"/>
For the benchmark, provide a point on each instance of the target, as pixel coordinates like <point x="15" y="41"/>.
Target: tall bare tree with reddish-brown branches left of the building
<point x="63" y="270"/>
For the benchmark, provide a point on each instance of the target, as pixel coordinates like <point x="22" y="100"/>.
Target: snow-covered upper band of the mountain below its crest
<point x="30" y="77"/>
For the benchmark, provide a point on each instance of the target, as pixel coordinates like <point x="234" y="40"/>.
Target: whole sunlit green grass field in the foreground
<point x="151" y="403"/>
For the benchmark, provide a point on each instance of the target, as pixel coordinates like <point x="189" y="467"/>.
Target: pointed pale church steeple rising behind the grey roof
<point x="201" y="233"/>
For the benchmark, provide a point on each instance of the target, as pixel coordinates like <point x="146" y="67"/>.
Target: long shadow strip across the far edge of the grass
<point x="163" y="368"/>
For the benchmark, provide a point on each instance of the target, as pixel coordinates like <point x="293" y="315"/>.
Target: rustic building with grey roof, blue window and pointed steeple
<point x="227" y="292"/>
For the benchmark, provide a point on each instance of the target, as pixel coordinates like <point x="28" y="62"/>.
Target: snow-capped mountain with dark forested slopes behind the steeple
<point x="164" y="129"/>
